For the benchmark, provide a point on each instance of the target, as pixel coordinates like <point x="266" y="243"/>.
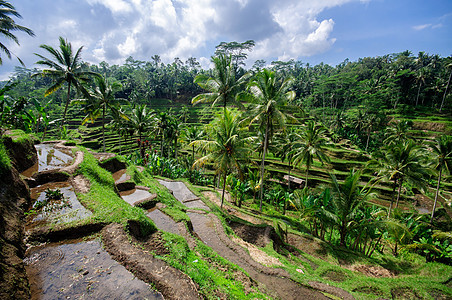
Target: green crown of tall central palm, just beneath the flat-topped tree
<point x="223" y="87"/>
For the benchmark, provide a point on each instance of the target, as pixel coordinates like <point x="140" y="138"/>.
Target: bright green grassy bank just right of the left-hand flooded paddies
<point x="102" y="200"/>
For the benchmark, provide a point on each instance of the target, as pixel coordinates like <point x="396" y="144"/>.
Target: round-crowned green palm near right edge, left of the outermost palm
<point x="402" y="162"/>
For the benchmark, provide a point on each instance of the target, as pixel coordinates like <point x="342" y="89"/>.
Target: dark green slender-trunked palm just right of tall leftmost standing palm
<point x="100" y="99"/>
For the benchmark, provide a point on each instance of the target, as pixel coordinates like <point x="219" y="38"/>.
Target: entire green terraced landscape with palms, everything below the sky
<point x="280" y="180"/>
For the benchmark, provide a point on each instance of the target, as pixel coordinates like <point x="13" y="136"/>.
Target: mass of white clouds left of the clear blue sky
<point x="112" y="30"/>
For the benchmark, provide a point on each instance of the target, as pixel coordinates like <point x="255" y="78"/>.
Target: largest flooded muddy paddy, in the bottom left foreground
<point x="81" y="270"/>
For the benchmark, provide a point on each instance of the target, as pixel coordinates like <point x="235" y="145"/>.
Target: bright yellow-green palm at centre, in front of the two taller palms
<point x="227" y="147"/>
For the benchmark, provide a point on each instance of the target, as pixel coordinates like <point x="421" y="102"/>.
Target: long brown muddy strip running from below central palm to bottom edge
<point x="210" y="231"/>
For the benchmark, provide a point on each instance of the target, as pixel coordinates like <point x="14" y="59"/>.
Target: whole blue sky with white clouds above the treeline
<point x="312" y="31"/>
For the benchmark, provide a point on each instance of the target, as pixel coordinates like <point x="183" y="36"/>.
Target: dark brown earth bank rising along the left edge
<point x="14" y="199"/>
